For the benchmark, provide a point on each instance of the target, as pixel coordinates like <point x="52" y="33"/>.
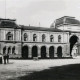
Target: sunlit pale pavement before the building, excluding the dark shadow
<point x="17" y="68"/>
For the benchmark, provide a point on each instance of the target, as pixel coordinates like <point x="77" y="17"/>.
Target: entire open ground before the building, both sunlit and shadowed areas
<point x="60" y="69"/>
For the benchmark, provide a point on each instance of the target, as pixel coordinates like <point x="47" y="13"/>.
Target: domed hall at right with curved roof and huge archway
<point x="72" y="25"/>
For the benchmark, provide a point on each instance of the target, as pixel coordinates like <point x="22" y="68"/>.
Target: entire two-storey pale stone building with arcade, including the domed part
<point x="28" y="41"/>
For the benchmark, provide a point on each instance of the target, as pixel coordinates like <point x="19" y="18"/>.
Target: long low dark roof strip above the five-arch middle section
<point x="40" y="28"/>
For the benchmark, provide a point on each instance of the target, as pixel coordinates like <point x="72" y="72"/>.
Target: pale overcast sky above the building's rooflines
<point x="39" y="13"/>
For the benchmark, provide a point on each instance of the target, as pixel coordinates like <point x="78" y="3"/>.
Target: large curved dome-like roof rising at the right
<point x="66" y="20"/>
